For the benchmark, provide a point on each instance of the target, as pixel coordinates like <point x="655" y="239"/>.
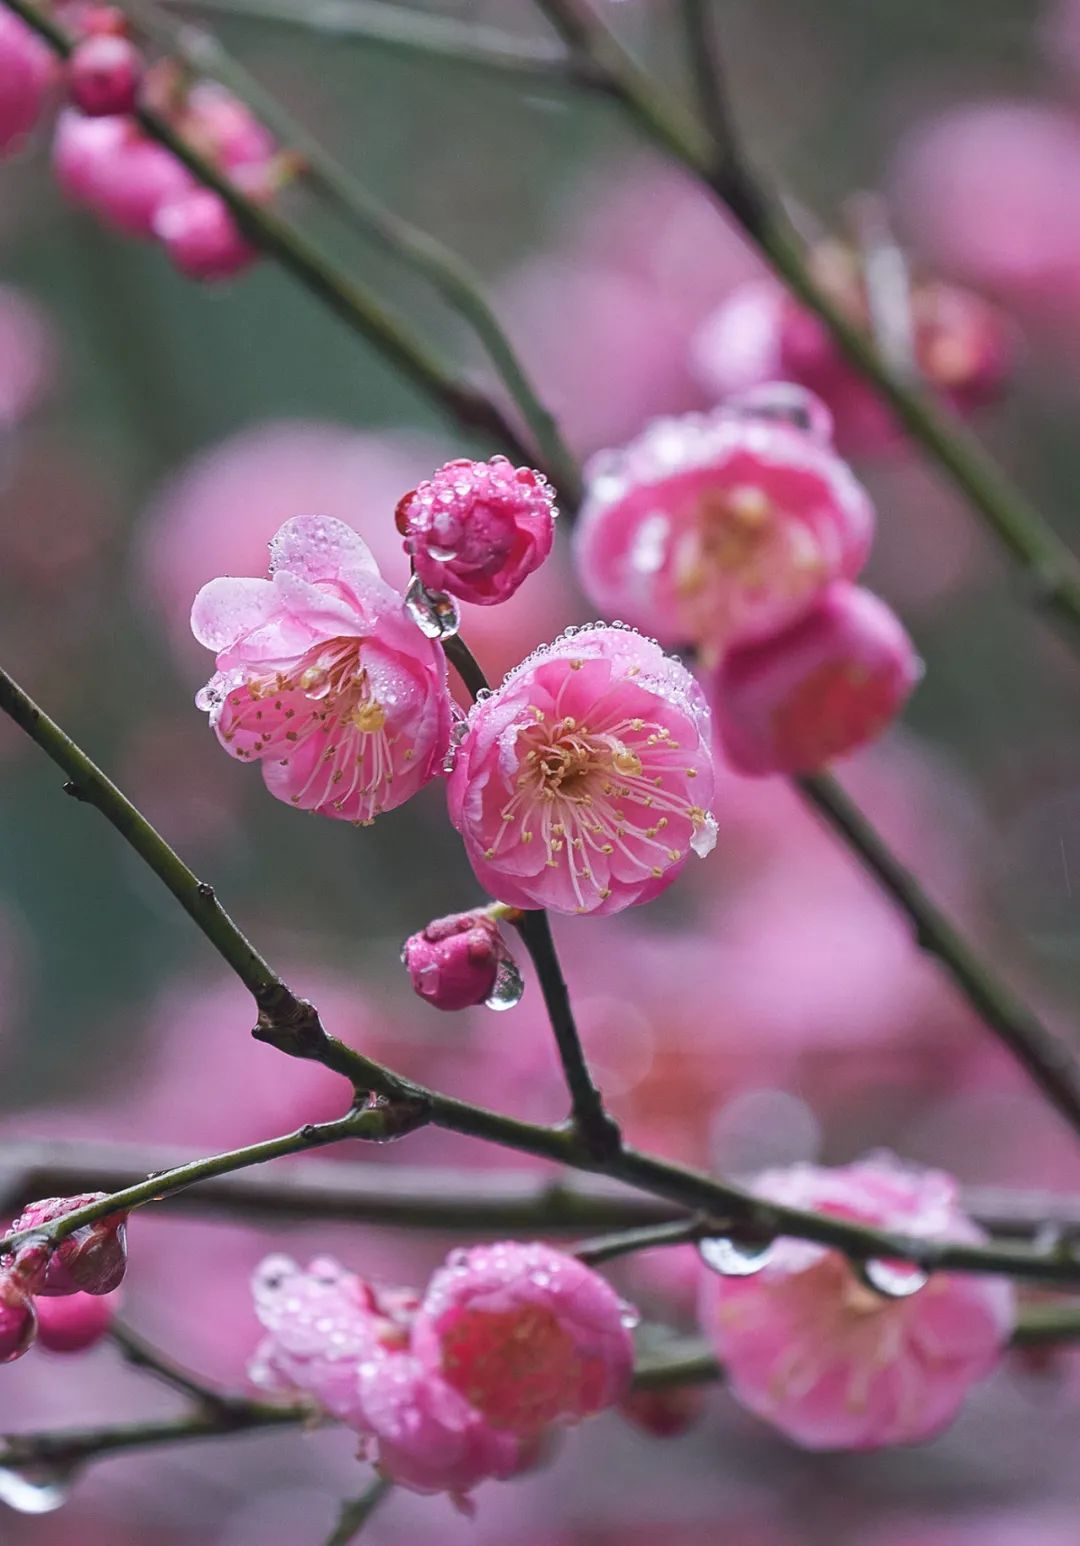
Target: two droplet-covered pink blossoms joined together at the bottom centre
<point x="461" y="1384"/>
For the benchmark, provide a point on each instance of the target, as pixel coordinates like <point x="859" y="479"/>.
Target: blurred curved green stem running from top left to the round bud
<point x="449" y="274"/>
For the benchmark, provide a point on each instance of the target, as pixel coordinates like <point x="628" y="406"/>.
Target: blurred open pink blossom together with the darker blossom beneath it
<point x="741" y="534"/>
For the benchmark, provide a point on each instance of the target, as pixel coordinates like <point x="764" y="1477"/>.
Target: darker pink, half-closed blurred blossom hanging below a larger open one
<point x="817" y="692"/>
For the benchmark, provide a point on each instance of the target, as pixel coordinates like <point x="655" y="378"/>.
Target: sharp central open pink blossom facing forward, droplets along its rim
<point x="585" y="782"/>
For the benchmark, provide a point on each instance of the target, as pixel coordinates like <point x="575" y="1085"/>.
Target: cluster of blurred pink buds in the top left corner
<point x="107" y="162"/>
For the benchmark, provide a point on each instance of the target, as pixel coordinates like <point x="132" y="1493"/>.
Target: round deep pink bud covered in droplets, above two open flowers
<point x="478" y="530"/>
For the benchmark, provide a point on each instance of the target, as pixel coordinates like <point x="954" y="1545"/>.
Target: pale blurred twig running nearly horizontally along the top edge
<point x="426" y="36"/>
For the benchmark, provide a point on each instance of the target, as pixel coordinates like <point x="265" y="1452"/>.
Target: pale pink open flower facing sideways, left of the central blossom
<point x="324" y="678"/>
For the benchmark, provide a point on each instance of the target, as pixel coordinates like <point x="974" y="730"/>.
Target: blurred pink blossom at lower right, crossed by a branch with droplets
<point x="834" y="1363"/>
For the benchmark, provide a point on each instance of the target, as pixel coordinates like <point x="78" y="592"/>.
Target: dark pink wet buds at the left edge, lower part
<point x="63" y="1296"/>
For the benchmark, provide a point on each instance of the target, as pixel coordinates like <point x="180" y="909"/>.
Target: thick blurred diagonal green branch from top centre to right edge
<point x="1027" y="537"/>
